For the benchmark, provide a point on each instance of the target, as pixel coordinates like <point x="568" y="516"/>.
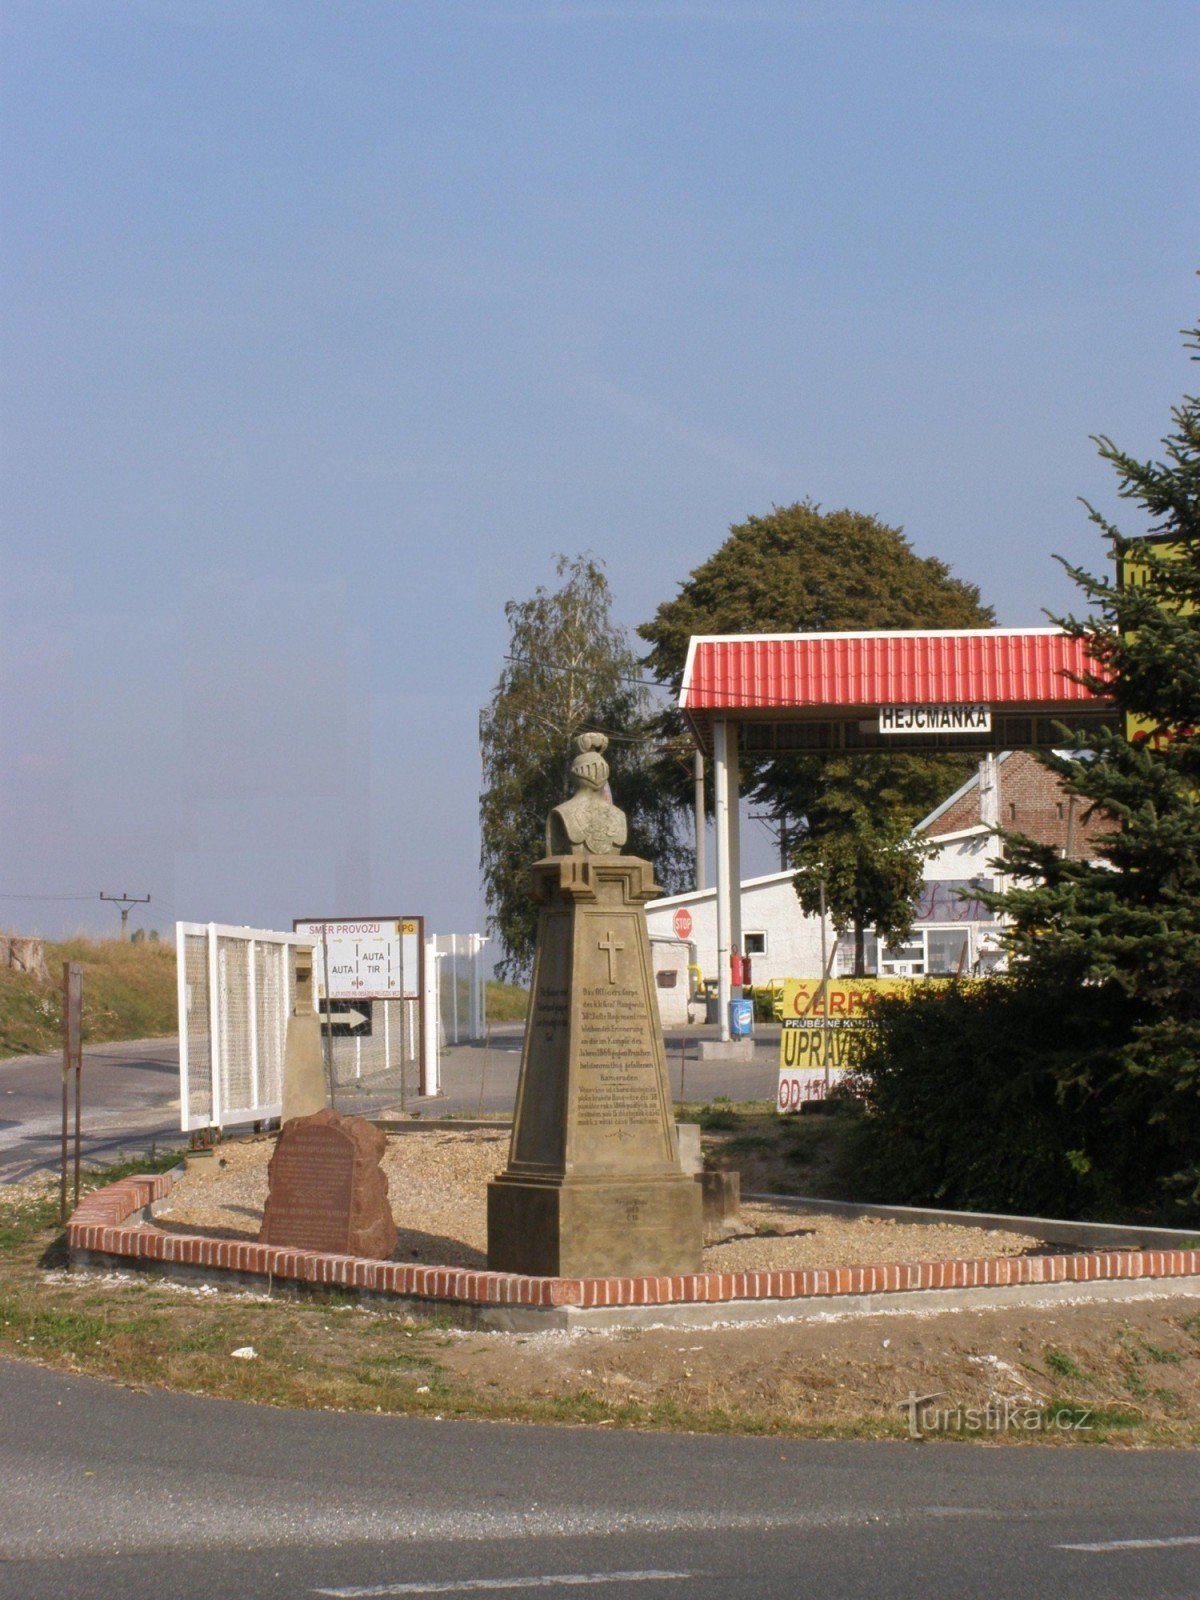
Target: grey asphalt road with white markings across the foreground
<point x="137" y="1495"/>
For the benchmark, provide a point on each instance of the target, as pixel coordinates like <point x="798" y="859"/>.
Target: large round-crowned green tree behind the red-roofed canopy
<point x="802" y="570"/>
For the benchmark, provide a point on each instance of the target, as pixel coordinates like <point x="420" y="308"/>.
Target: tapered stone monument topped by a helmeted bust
<point x="594" y="1185"/>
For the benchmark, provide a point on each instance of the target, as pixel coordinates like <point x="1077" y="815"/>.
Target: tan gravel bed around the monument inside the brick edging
<point x="438" y="1185"/>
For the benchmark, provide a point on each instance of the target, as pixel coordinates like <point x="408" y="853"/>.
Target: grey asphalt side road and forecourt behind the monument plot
<point x="132" y="1094"/>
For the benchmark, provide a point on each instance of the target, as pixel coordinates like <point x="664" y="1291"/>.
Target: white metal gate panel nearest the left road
<point x="238" y="988"/>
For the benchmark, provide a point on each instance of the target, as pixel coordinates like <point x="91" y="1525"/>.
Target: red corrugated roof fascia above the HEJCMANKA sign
<point x="969" y="666"/>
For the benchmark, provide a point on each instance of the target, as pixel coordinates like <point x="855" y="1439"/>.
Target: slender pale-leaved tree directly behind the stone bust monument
<point x="569" y="670"/>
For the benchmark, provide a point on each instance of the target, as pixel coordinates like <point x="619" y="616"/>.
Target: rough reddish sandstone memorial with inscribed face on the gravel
<point x="327" y="1190"/>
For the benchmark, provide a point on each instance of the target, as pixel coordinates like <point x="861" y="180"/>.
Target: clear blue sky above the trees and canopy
<point x="327" y="326"/>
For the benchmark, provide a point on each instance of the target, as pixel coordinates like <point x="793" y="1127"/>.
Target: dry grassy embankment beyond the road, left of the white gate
<point x="129" y="993"/>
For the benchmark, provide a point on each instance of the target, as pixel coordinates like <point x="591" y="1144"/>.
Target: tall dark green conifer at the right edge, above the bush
<point x="1119" y="938"/>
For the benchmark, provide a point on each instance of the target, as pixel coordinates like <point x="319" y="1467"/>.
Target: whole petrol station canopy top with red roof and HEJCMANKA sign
<point x="982" y="689"/>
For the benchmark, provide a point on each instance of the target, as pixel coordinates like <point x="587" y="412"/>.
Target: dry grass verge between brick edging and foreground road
<point x="1134" y="1369"/>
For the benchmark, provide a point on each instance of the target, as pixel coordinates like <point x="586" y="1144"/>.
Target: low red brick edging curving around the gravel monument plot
<point x="97" y="1228"/>
